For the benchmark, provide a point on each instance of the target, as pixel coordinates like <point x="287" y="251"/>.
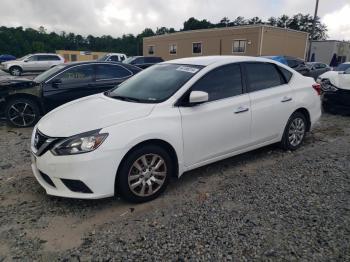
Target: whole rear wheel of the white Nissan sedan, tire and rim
<point x="294" y="132"/>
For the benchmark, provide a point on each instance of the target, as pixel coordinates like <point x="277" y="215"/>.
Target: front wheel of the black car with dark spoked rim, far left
<point x="22" y="112"/>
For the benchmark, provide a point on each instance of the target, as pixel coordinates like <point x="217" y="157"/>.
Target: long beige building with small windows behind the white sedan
<point x="251" y="40"/>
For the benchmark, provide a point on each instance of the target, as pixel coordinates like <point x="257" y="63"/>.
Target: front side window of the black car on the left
<point x="77" y="74"/>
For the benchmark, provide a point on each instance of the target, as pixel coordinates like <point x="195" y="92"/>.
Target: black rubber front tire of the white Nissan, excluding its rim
<point x="122" y="184"/>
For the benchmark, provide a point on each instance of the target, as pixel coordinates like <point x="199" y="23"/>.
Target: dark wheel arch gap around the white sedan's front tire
<point x="159" y="142"/>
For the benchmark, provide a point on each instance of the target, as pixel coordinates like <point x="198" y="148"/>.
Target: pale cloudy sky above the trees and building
<point x="118" y="17"/>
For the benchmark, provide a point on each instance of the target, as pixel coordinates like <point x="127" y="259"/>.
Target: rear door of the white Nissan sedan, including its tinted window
<point x="271" y="100"/>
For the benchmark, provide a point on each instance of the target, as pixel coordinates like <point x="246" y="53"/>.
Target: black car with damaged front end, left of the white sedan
<point x="22" y="101"/>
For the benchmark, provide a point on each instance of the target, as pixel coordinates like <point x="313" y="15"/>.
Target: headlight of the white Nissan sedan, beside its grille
<point x="79" y="144"/>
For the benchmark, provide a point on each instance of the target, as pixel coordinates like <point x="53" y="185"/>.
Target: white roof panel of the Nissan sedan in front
<point x="208" y="60"/>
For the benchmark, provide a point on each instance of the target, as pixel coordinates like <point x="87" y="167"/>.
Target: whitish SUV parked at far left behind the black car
<point x="32" y="63"/>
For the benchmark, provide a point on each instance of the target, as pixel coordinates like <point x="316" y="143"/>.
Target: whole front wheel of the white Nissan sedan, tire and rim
<point x="134" y="176"/>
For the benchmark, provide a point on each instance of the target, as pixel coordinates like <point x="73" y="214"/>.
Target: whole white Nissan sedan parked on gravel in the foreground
<point x="168" y="119"/>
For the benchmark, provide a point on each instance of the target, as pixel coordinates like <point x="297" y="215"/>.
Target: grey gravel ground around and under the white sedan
<point x="263" y="205"/>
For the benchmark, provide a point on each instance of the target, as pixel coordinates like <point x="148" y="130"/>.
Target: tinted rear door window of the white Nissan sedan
<point x="262" y="76"/>
